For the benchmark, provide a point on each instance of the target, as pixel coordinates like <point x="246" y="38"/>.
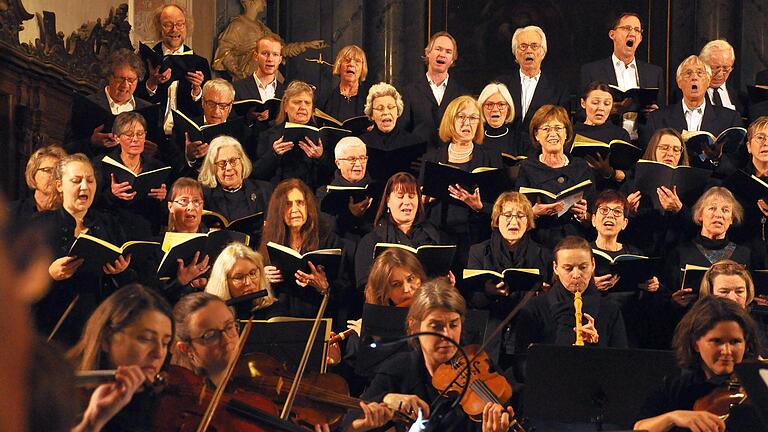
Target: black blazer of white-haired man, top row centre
<point x="548" y="91"/>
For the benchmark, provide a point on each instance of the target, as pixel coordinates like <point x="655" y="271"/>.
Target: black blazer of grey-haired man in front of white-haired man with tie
<point x="716" y="119"/>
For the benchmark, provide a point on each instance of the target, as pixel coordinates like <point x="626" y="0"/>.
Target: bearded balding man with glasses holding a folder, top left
<point x="183" y="94"/>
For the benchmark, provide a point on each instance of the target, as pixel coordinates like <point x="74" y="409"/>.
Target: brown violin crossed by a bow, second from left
<point x="321" y="398"/>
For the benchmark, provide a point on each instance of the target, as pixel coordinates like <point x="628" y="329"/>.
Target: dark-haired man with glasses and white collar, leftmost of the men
<point x="122" y="71"/>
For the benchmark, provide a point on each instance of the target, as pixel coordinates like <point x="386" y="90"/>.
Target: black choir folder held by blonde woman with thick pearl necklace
<point x="438" y="176"/>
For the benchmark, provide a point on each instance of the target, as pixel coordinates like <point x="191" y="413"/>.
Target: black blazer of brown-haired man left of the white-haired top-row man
<point x="422" y="114"/>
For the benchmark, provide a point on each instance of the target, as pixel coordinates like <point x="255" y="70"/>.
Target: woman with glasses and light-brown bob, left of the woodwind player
<point x="510" y="246"/>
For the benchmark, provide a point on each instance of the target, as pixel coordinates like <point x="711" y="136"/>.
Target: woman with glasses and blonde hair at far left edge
<point x="39" y="177"/>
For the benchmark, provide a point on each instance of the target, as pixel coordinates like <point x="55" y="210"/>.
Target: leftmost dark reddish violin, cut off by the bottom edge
<point x="184" y="398"/>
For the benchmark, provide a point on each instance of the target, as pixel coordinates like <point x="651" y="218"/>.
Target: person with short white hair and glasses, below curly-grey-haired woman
<point x="356" y="219"/>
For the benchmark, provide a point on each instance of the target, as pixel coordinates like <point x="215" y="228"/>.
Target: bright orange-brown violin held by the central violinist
<point x="484" y="385"/>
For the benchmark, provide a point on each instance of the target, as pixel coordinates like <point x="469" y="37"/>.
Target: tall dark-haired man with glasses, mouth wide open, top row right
<point x="624" y="70"/>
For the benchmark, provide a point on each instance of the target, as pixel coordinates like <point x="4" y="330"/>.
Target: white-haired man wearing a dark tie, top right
<point x="720" y="57"/>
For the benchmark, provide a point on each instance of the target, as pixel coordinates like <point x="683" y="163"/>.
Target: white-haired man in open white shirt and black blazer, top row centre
<point x="530" y="87"/>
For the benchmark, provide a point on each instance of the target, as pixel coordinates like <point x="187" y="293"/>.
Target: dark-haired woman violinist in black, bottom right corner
<point x="714" y="336"/>
